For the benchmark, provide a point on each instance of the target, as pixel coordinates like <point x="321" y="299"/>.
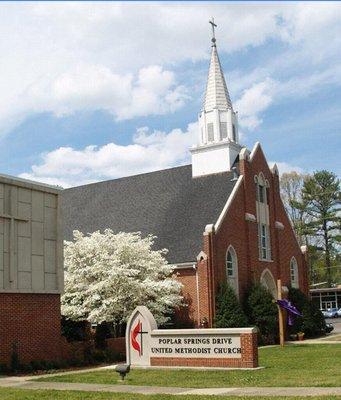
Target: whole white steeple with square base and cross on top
<point x="218" y="124"/>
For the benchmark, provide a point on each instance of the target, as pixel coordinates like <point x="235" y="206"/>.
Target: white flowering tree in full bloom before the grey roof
<point x="107" y="275"/>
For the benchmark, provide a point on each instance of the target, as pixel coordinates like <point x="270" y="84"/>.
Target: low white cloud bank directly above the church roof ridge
<point x="149" y="151"/>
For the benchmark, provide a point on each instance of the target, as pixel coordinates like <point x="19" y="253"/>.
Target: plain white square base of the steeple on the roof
<point x="214" y="158"/>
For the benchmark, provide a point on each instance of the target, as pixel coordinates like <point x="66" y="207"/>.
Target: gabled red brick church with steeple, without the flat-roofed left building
<point x="221" y="217"/>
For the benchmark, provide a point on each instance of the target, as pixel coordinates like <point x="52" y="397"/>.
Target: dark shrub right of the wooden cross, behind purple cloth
<point x="312" y="322"/>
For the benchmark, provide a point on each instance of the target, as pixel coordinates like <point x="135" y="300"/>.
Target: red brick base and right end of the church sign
<point x="249" y="357"/>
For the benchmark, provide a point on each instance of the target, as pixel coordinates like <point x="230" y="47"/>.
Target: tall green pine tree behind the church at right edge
<point x="321" y="199"/>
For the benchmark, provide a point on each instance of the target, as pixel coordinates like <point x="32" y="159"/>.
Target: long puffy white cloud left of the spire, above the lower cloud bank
<point x="92" y="87"/>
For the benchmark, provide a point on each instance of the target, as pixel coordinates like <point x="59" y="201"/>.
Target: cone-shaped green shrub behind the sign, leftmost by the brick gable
<point x="229" y="313"/>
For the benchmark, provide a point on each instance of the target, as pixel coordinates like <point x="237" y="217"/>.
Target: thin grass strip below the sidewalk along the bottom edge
<point x="21" y="394"/>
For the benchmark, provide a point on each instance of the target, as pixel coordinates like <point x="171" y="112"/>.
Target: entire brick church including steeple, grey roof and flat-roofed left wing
<point x="221" y="218"/>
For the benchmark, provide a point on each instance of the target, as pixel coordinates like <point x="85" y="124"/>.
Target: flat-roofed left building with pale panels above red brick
<point x="31" y="271"/>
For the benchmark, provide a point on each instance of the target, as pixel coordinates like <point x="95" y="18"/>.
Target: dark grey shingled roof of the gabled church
<point x="169" y="204"/>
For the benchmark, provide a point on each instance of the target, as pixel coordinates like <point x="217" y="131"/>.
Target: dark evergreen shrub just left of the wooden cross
<point x="262" y="312"/>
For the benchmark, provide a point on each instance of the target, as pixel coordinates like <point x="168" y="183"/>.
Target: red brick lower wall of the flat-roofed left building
<point x="32" y="323"/>
